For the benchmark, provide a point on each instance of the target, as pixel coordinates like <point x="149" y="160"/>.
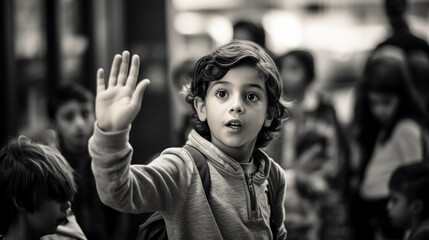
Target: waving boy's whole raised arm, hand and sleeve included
<point x="120" y="185"/>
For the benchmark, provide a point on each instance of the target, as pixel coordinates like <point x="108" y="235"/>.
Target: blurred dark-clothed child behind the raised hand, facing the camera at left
<point x="71" y="110"/>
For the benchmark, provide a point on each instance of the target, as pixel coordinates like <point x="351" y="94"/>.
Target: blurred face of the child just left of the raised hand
<point x="74" y="122"/>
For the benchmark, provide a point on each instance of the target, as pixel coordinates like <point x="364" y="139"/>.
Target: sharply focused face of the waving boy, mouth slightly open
<point x="235" y="108"/>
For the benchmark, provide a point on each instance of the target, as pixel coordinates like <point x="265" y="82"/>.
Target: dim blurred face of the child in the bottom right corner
<point x="399" y="209"/>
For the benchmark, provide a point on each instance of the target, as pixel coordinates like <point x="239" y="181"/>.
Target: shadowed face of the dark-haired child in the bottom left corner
<point x="46" y="219"/>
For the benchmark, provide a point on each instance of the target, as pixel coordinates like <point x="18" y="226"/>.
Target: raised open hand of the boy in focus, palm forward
<point x="117" y="105"/>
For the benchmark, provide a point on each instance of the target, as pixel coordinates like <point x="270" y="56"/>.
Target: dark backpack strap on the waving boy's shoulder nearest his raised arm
<point x="202" y="166"/>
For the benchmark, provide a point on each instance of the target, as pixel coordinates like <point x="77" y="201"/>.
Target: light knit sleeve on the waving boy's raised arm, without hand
<point x="159" y="186"/>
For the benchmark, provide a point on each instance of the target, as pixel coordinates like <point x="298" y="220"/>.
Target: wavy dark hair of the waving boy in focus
<point x="215" y="65"/>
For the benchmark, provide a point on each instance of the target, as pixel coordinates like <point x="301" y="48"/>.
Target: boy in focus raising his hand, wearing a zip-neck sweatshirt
<point x="235" y="93"/>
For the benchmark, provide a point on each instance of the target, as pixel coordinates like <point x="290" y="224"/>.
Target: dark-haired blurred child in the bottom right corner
<point x="408" y="206"/>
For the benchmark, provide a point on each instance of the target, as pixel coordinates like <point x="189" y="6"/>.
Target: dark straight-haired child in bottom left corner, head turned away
<point x="36" y="185"/>
